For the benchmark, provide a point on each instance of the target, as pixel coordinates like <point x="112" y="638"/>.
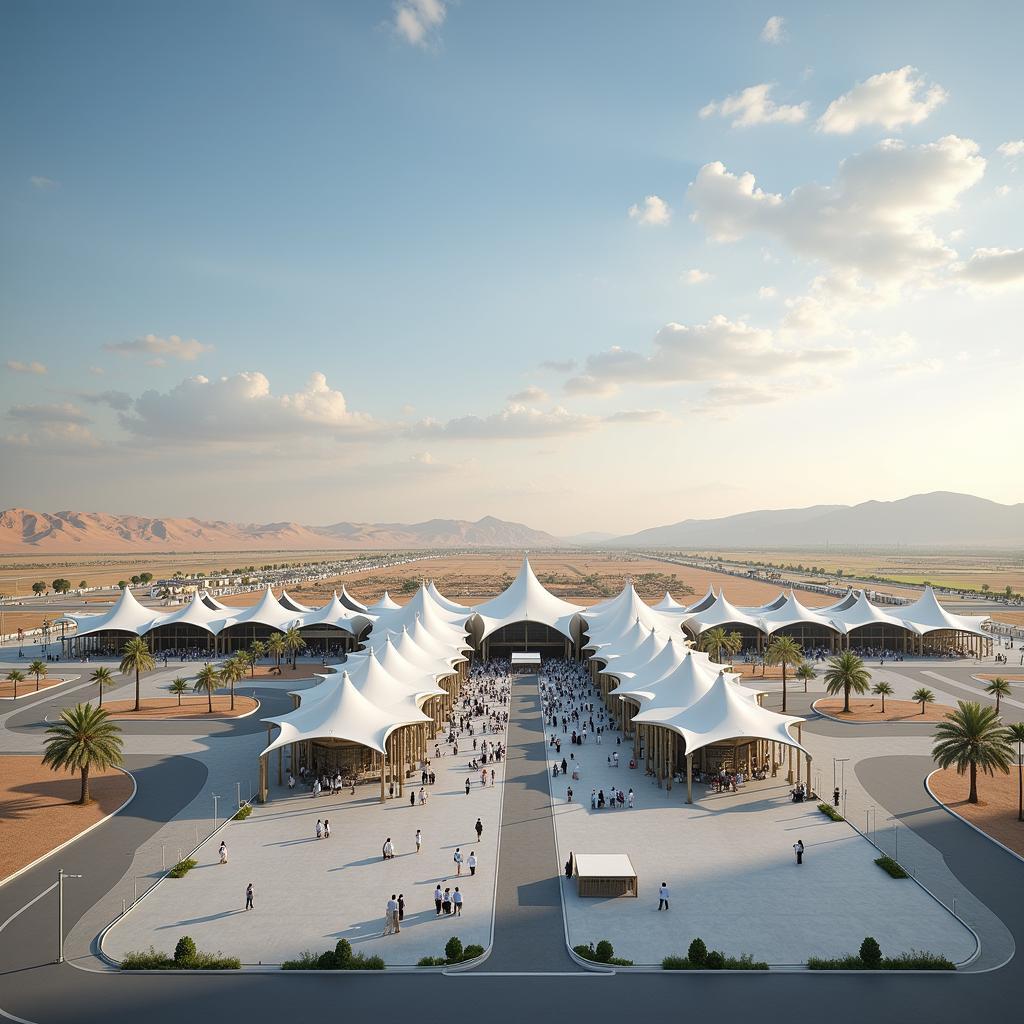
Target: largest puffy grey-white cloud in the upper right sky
<point x="875" y="218"/>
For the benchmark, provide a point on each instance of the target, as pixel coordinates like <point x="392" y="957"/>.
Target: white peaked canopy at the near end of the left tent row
<point x="342" y="713"/>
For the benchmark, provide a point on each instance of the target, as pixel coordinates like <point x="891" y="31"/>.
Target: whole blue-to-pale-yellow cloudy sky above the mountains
<point x="585" y="266"/>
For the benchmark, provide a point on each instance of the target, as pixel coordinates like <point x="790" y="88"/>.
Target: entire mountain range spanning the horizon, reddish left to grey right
<point x="941" y="520"/>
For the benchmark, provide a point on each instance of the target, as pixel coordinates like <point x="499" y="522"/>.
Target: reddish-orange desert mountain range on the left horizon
<point x="23" y="531"/>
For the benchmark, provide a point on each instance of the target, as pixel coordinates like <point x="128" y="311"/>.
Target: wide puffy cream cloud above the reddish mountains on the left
<point x="242" y="408"/>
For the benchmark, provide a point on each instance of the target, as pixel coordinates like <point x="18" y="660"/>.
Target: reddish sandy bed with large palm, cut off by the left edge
<point x="38" y="808"/>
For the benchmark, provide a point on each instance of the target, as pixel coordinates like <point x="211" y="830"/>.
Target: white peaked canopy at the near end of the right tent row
<point x="723" y="713"/>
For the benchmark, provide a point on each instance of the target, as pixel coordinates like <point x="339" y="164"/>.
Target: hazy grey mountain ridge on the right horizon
<point x="940" y="520"/>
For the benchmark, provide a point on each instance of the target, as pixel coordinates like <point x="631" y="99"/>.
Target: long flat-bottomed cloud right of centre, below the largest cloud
<point x="719" y="351"/>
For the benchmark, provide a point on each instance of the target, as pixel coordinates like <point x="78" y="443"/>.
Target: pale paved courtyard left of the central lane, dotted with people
<point x="312" y="892"/>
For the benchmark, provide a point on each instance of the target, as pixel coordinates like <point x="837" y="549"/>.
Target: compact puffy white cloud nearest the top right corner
<point x="891" y="101"/>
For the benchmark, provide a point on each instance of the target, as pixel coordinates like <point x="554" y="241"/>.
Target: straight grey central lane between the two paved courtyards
<point x="529" y="932"/>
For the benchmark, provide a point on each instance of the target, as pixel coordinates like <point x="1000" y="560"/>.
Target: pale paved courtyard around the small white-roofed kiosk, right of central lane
<point x="730" y="864"/>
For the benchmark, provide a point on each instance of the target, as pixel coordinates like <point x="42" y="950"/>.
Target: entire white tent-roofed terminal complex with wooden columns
<point x="375" y="715"/>
